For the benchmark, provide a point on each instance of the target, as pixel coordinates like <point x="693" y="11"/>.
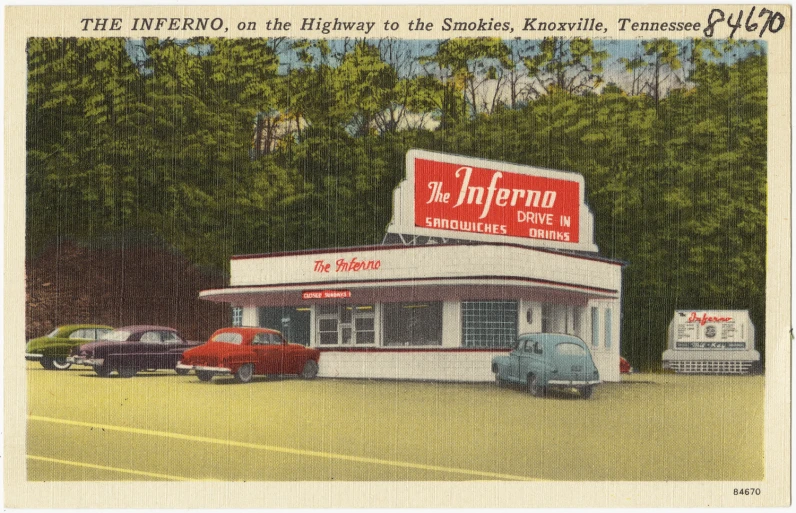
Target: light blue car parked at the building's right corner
<point x="544" y="360"/>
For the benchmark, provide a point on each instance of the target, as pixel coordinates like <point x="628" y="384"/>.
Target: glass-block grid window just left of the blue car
<point x="489" y="323"/>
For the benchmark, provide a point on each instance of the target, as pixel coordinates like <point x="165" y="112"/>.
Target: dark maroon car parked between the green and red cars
<point x="131" y="349"/>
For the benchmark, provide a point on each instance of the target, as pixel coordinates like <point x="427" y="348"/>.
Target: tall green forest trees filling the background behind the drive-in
<point x="216" y="147"/>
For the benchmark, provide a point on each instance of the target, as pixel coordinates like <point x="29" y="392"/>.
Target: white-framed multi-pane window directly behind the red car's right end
<point x="346" y="325"/>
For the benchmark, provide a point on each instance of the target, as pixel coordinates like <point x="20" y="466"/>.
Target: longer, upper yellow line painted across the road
<point x="284" y="450"/>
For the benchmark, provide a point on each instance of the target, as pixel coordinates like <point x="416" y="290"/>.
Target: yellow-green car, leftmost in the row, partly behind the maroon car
<point x="51" y="350"/>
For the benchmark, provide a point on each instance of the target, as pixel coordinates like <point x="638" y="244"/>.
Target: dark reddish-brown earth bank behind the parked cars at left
<point x="69" y="283"/>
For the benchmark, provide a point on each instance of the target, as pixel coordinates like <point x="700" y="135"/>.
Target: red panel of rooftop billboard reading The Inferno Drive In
<point x="456" y="197"/>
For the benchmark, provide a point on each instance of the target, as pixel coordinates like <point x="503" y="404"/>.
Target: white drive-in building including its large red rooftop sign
<point x="477" y="253"/>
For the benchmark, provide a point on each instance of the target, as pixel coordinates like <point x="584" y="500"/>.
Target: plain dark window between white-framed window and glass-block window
<point x="413" y="324"/>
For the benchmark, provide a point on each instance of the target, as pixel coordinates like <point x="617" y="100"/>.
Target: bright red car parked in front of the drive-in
<point x="245" y="352"/>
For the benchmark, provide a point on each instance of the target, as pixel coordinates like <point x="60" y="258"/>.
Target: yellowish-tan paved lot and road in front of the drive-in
<point x="163" y="426"/>
